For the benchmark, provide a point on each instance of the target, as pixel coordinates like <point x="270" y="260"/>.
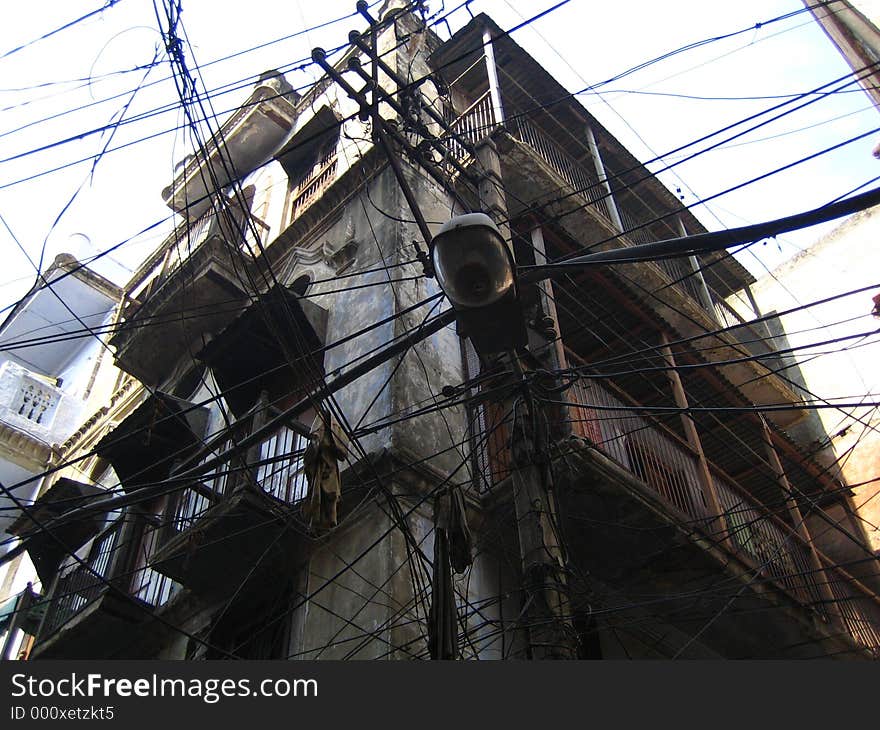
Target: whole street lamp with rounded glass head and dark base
<point x="475" y="269"/>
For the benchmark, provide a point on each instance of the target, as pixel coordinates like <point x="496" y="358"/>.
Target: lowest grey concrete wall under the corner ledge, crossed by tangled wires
<point x="372" y="593"/>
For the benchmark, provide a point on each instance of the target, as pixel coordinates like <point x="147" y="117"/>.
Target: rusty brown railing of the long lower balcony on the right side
<point x="666" y="464"/>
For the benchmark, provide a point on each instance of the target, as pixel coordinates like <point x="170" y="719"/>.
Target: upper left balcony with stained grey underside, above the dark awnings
<point x="193" y="289"/>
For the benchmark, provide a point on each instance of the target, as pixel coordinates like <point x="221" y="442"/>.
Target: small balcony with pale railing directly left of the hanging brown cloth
<point x="236" y="522"/>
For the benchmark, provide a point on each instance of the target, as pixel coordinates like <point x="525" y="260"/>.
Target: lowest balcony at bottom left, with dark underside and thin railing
<point x="101" y="608"/>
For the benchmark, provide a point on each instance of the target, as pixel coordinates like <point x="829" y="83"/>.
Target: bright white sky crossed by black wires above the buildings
<point x="580" y="43"/>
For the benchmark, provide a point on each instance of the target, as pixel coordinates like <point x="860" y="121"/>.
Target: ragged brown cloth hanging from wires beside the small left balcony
<point x="327" y="445"/>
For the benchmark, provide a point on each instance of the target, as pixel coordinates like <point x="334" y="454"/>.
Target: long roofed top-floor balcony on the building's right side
<point x="598" y="197"/>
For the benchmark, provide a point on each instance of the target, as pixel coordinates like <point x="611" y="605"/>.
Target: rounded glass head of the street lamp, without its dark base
<point x="471" y="261"/>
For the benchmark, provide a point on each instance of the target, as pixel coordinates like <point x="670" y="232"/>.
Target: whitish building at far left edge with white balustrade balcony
<point x="47" y="372"/>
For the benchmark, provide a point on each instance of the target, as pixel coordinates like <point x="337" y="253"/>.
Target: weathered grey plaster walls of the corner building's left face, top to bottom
<point x="378" y="579"/>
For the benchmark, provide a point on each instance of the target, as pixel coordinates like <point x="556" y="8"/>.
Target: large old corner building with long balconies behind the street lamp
<point x="670" y="518"/>
